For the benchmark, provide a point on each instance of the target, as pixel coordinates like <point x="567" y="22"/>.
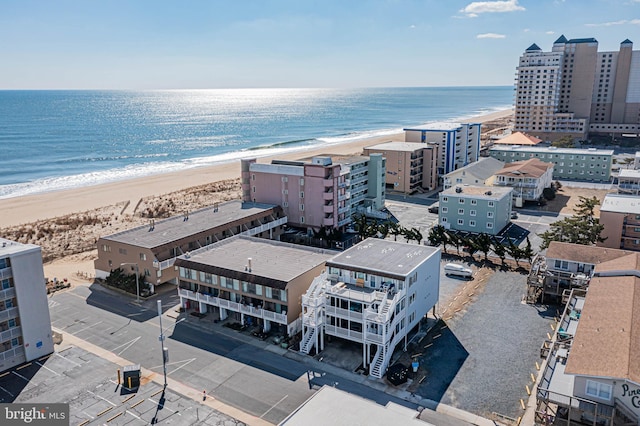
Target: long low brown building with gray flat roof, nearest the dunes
<point x="152" y="249"/>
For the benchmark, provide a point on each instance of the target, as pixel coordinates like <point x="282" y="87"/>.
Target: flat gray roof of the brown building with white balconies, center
<point x="273" y="263"/>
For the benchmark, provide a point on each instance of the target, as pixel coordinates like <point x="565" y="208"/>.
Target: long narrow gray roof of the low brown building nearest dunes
<point x="177" y="228"/>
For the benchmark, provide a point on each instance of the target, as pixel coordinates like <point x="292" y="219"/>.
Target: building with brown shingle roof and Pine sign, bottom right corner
<point x="592" y="371"/>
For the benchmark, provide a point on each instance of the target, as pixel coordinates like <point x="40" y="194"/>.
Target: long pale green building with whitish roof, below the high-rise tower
<point x="568" y="163"/>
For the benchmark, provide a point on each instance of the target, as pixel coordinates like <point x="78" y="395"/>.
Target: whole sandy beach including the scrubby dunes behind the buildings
<point x="68" y="223"/>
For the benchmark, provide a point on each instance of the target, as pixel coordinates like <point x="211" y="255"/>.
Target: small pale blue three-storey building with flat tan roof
<point x="476" y="209"/>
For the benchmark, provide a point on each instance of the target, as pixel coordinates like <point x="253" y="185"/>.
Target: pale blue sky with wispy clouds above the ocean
<point x="208" y="44"/>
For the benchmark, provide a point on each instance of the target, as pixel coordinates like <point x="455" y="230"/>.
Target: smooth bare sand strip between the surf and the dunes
<point x="35" y="207"/>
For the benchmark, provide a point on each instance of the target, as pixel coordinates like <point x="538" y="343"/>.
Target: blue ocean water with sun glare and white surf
<point x="55" y="140"/>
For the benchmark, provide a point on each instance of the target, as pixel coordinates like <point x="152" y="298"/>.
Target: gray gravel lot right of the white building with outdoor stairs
<point x="481" y="359"/>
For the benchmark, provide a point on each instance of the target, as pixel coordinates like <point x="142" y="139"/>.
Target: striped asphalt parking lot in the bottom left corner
<point x="89" y="384"/>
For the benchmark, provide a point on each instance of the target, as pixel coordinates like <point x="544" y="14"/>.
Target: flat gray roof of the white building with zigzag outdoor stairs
<point x="383" y="257"/>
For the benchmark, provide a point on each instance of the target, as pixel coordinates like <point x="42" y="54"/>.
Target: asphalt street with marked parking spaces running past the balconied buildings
<point x="265" y="384"/>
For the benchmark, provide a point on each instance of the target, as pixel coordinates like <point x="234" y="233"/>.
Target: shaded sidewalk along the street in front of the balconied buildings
<point x="376" y="384"/>
